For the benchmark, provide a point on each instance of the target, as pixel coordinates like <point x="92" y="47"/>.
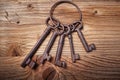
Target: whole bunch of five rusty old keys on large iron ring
<point x="58" y="29"/>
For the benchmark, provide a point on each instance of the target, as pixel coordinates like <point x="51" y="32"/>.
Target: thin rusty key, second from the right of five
<point x="73" y="55"/>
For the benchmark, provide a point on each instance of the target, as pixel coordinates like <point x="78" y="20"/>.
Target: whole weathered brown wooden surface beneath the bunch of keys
<point x="23" y="21"/>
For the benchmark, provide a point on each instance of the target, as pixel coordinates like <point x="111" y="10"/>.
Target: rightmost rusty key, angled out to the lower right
<point x="87" y="47"/>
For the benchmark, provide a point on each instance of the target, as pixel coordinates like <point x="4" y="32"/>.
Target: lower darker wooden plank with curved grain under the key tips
<point x="90" y="67"/>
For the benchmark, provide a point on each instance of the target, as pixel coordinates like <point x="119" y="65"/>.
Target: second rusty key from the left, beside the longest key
<point x="59" y="30"/>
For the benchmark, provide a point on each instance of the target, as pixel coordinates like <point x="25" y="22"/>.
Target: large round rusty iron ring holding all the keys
<point x="60" y="2"/>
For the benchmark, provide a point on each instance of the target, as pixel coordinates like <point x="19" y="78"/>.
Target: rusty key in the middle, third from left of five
<point x="60" y="48"/>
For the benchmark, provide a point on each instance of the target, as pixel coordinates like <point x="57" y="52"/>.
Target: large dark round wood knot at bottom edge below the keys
<point x="49" y="73"/>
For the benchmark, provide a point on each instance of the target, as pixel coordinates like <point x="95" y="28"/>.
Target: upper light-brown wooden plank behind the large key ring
<point x="21" y="26"/>
